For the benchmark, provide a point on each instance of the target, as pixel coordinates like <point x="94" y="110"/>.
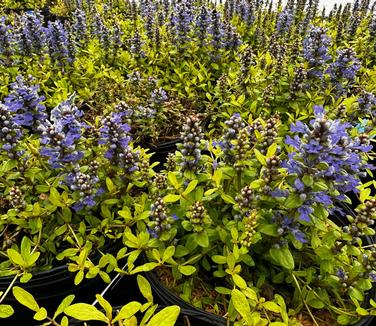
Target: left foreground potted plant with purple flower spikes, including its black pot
<point x="61" y="183"/>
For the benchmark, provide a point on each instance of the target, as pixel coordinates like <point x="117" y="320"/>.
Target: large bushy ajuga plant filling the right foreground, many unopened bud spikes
<point x="264" y="238"/>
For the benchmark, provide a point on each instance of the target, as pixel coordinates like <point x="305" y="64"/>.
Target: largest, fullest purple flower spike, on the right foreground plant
<point x="325" y="152"/>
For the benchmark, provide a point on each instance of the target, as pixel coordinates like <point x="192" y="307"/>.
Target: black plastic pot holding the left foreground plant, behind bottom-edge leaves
<point x="50" y="287"/>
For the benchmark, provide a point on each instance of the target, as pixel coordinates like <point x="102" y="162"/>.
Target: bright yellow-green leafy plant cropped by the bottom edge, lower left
<point x="69" y="313"/>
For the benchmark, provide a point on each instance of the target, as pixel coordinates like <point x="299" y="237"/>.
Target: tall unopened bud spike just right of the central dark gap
<point x="191" y="146"/>
